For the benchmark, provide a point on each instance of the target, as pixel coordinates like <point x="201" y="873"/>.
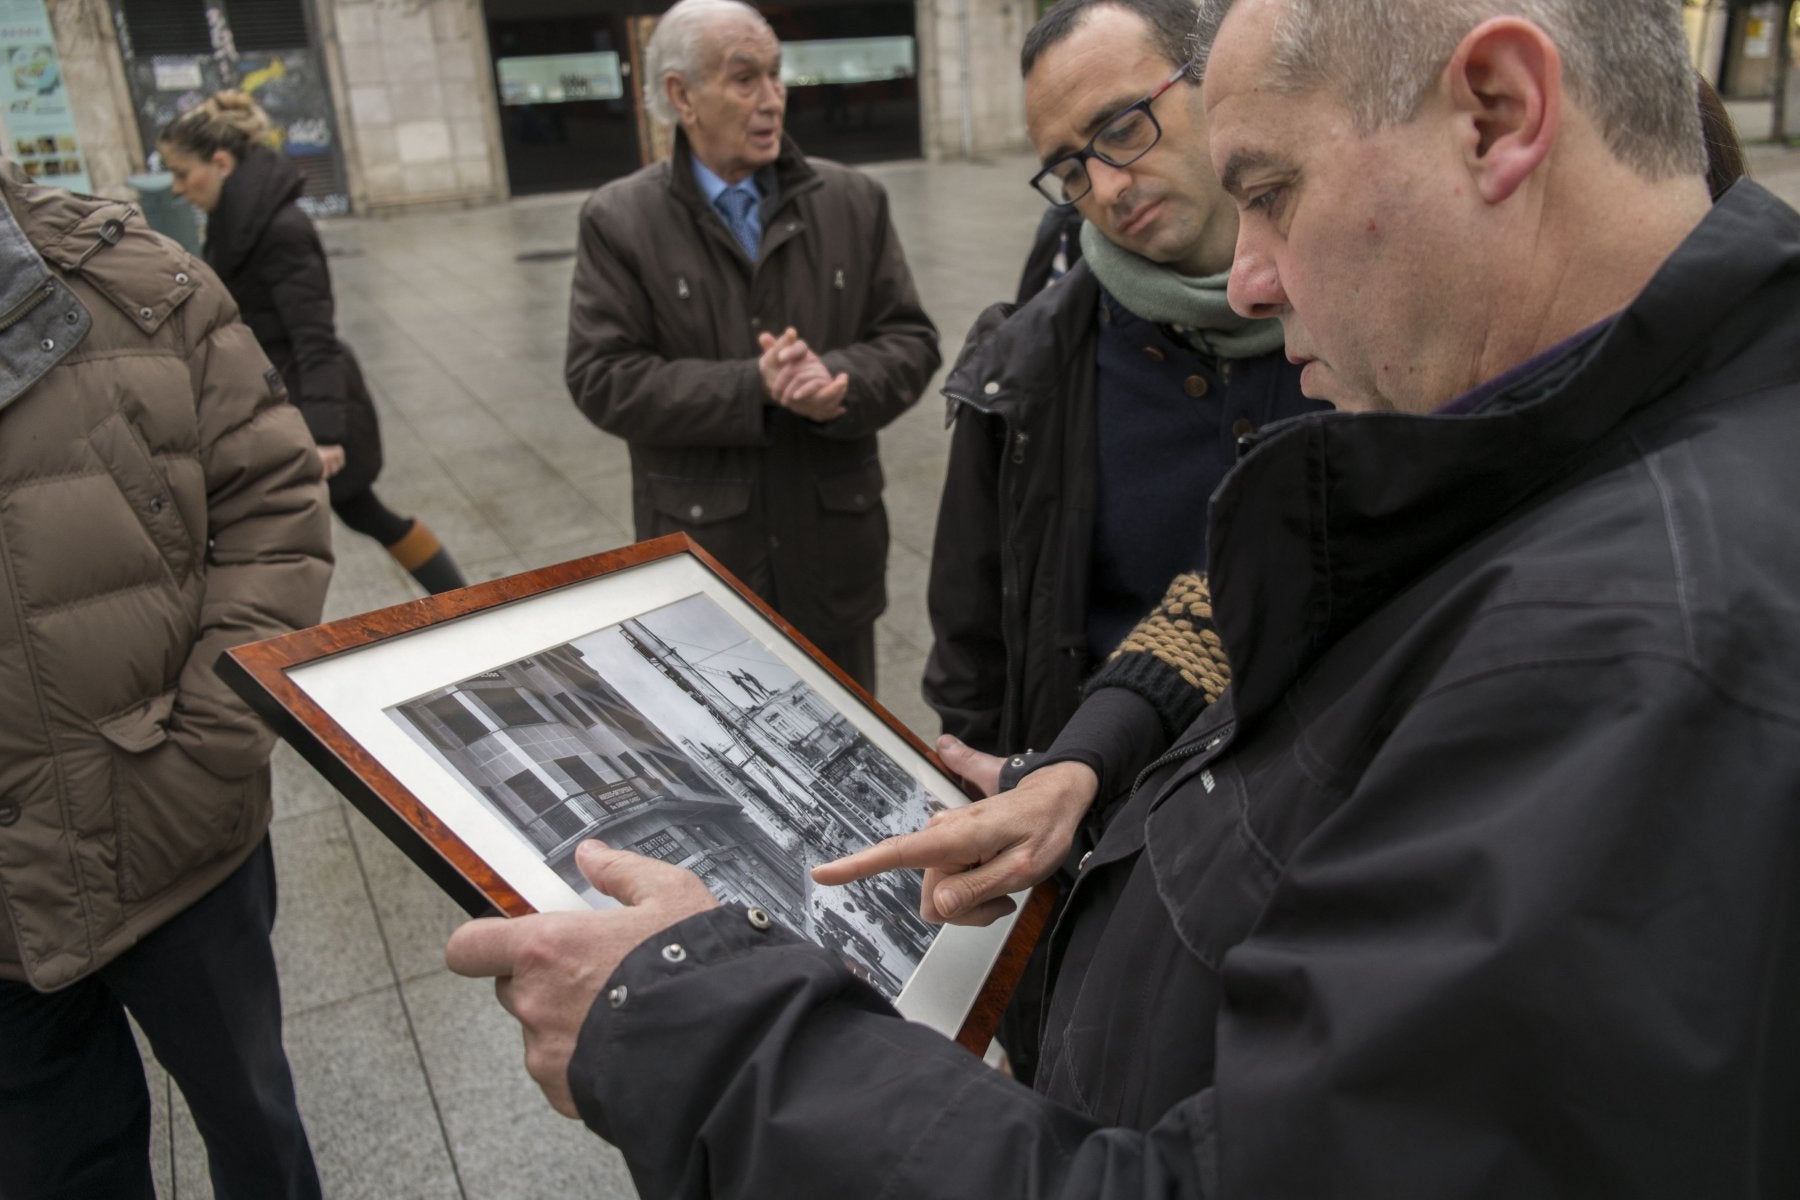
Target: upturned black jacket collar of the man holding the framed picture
<point x="1335" y="514"/>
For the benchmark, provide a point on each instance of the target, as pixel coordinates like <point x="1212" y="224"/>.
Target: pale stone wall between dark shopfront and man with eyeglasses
<point x="971" y="98"/>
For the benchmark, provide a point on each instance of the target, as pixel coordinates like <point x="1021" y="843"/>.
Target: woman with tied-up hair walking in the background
<point x="269" y="255"/>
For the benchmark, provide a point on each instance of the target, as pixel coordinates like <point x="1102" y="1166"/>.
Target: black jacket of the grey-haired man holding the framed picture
<point x="1479" y="882"/>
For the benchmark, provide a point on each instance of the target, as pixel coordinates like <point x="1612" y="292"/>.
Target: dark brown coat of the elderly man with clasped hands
<point x="663" y="325"/>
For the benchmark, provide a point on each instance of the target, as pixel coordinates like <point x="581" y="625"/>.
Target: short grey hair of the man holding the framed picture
<point x="1626" y="62"/>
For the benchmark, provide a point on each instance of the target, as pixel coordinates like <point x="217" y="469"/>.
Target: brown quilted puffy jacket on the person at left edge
<point x="159" y="503"/>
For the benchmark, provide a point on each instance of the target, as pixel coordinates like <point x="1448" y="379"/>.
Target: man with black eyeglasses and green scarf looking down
<point x="1093" y="424"/>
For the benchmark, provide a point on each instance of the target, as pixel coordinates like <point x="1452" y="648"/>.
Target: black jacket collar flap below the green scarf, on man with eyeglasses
<point x="1018" y="355"/>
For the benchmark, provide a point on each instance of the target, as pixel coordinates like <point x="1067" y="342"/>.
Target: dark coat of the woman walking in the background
<point x="269" y="255"/>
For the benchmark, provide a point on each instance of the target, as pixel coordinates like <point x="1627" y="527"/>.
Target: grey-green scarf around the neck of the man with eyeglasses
<point x="1194" y="309"/>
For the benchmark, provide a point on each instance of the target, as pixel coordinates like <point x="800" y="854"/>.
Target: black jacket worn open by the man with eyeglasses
<point x="1012" y="557"/>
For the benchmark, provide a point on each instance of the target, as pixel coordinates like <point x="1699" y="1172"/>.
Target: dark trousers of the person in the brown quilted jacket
<point x="75" y="1111"/>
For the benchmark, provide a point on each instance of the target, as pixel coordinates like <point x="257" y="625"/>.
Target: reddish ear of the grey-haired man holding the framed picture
<point x="1506" y="82"/>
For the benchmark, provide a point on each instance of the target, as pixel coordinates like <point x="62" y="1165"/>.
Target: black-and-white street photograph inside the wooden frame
<point x="679" y="735"/>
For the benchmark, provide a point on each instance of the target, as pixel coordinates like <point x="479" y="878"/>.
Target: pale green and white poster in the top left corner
<point x="39" y="120"/>
